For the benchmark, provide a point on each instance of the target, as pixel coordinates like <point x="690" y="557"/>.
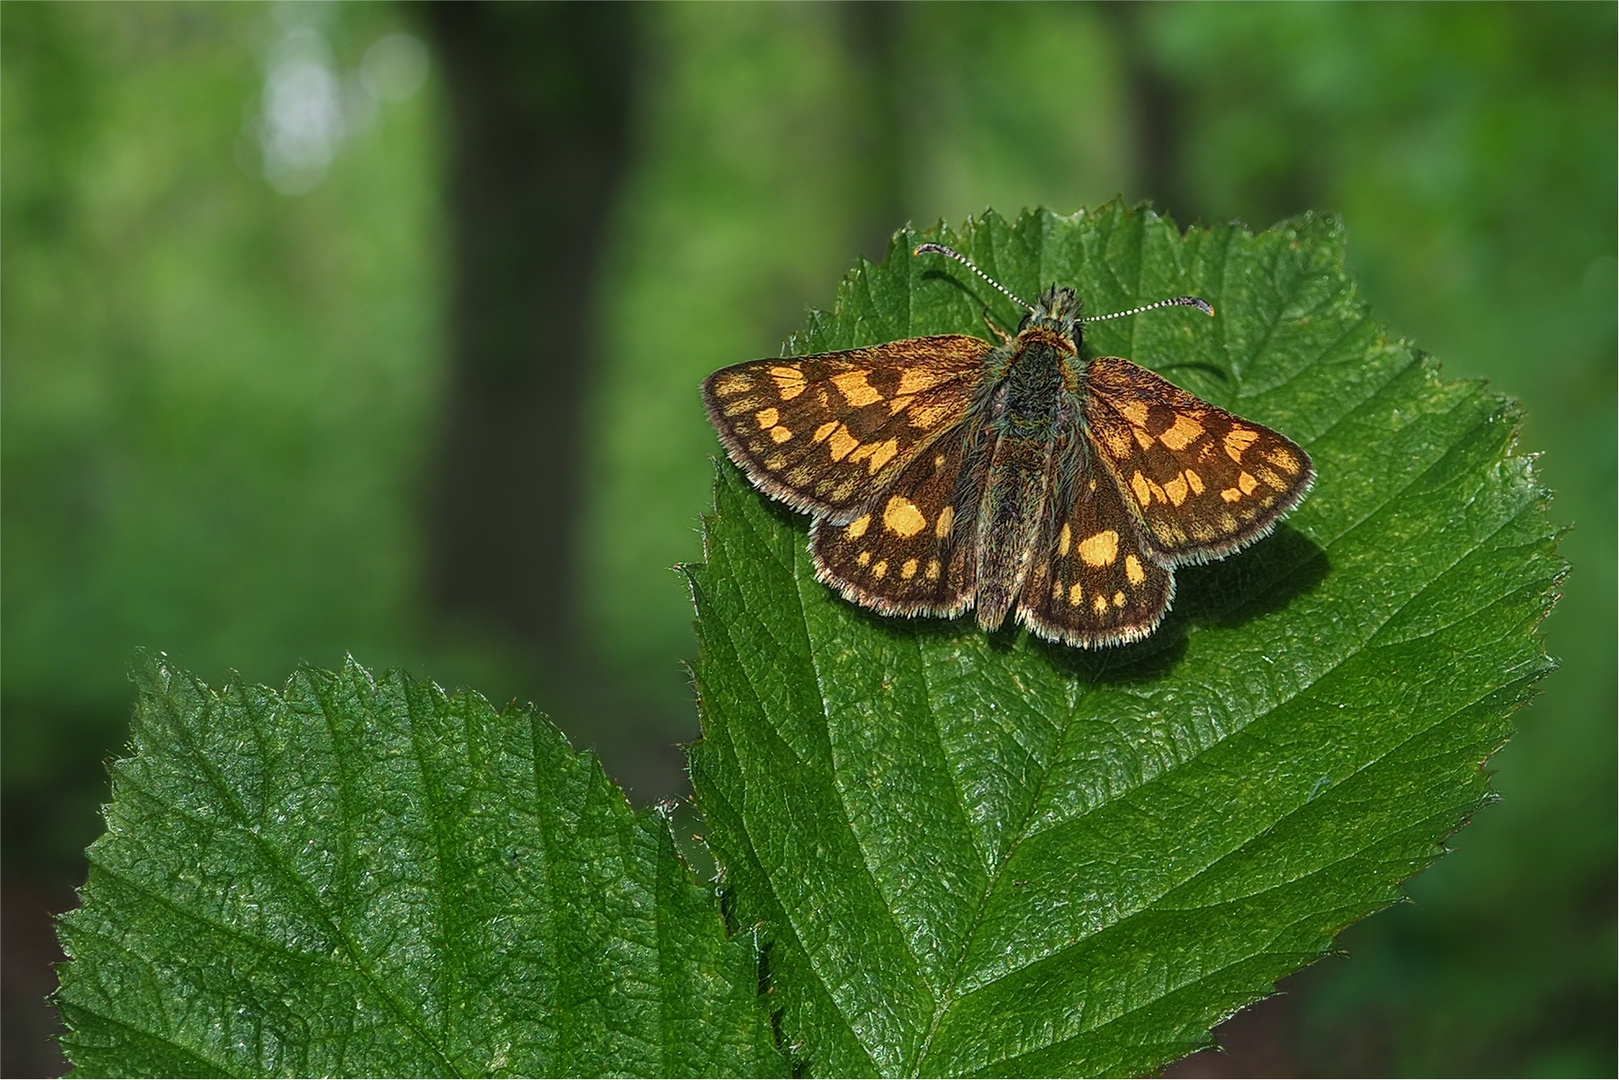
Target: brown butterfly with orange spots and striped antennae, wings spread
<point x="948" y="474"/>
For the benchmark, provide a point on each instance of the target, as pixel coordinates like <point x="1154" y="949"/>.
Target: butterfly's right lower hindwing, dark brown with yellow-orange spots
<point x="1094" y="580"/>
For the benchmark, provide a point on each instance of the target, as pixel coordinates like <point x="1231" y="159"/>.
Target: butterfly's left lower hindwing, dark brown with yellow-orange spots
<point x="912" y="553"/>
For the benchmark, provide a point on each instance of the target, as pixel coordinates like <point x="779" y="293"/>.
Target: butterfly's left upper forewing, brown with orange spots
<point x="831" y="433"/>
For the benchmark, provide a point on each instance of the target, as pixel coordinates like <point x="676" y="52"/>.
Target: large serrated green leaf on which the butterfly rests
<point x="982" y="854"/>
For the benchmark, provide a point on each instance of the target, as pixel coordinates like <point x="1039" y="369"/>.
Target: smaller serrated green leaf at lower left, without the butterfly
<point x="367" y="877"/>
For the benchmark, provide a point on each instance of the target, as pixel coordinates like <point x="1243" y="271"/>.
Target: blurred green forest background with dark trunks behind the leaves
<point x="378" y="330"/>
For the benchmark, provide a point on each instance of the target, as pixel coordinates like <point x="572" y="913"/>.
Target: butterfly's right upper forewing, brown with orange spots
<point x="1200" y="482"/>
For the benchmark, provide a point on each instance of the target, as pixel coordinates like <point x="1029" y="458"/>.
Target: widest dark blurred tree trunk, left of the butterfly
<point x="540" y="114"/>
